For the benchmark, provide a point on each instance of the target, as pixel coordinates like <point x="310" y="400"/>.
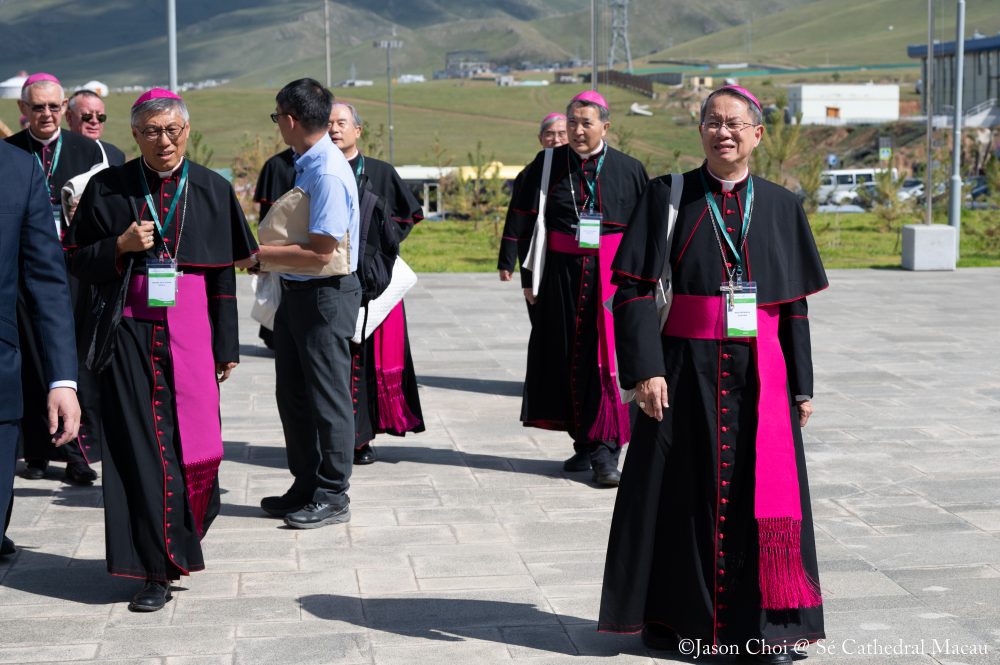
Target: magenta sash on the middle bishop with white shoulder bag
<point x="611" y="422"/>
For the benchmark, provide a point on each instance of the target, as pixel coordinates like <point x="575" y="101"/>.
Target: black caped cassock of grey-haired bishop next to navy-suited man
<point x="158" y="504"/>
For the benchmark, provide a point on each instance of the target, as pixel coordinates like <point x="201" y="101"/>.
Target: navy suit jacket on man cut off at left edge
<point x="30" y="253"/>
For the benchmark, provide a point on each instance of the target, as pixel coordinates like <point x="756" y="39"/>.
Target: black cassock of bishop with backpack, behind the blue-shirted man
<point x="366" y="372"/>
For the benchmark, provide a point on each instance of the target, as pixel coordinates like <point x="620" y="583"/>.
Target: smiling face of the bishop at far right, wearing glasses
<point x="727" y="151"/>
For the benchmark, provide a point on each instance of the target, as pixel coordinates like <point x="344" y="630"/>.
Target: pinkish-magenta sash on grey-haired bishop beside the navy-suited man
<point x="196" y="391"/>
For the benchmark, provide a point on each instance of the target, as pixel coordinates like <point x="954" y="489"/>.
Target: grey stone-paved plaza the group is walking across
<point x="469" y="544"/>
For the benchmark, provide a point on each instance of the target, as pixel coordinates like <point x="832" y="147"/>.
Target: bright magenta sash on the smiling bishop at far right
<point x="784" y="583"/>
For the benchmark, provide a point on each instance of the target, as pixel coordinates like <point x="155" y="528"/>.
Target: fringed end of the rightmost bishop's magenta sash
<point x="784" y="583"/>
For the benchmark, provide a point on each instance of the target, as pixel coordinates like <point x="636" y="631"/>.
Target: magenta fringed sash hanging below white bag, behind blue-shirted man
<point x="394" y="414"/>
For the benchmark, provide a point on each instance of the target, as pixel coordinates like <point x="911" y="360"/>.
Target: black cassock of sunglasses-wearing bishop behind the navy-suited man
<point x="76" y="155"/>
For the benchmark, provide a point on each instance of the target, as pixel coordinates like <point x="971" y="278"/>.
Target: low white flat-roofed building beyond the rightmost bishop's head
<point x="844" y="104"/>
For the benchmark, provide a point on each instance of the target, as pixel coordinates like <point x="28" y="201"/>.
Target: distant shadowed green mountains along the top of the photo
<point x="261" y="42"/>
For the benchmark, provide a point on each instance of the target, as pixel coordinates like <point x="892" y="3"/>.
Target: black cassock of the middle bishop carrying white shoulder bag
<point x="563" y="384"/>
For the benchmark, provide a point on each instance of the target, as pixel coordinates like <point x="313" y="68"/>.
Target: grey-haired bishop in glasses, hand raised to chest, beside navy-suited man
<point x="166" y="233"/>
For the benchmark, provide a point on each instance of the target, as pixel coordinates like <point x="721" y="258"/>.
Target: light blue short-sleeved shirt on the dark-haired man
<point x="324" y="174"/>
